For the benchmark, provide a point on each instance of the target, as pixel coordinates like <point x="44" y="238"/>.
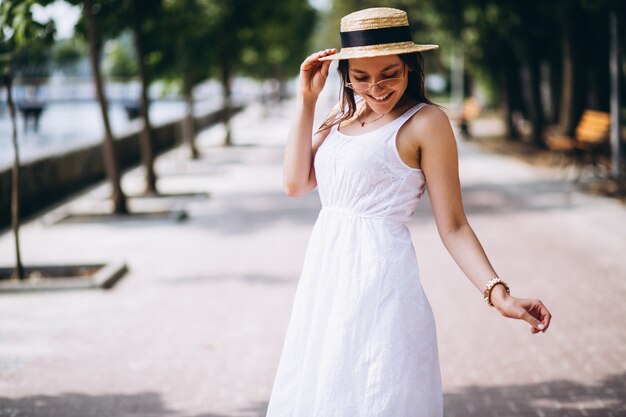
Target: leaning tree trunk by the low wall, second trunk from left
<point x="110" y="155"/>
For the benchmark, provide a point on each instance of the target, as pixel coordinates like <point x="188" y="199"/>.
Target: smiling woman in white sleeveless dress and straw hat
<point x="361" y="340"/>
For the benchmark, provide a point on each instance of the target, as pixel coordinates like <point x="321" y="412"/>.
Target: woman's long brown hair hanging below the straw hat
<point x="415" y="88"/>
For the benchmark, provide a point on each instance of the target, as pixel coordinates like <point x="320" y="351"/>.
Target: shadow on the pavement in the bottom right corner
<point x="556" y="398"/>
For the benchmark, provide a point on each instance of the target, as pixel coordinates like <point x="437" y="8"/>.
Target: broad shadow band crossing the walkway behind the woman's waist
<point x="246" y="212"/>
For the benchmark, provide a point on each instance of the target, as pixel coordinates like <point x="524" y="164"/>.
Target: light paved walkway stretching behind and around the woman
<point x="196" y="326"/>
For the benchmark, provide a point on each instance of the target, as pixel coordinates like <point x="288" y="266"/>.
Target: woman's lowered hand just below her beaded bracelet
<point x="530" y="310"/>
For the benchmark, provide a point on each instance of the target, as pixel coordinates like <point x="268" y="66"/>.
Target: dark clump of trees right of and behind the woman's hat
<point x="547" y="61"/>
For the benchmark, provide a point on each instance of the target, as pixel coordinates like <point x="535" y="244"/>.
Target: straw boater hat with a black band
<point x="375" y="32"/>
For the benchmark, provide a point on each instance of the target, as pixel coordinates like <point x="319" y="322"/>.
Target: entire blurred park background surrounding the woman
<point x="148" y="136"/>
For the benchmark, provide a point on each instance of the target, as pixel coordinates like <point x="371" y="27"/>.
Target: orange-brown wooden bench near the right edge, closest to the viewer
<point x="589" y="144"/>
